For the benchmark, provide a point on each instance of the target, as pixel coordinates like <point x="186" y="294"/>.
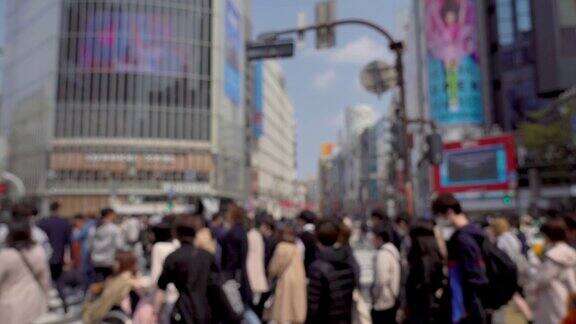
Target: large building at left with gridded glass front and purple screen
<point x="125" y="98"/>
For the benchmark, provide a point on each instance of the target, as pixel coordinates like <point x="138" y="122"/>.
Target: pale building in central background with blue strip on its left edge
<point x="273" y="158"/>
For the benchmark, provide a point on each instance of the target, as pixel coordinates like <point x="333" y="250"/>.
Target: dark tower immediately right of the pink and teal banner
<point x="512" y="61"/>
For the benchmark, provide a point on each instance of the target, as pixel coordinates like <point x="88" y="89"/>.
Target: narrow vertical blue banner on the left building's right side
<point x="232" y="52"/>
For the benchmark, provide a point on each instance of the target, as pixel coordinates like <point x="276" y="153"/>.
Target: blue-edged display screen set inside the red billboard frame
<point x="485" y="165"/>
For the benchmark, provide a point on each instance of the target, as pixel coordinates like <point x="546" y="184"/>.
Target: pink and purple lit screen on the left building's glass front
<point x="131" y="42"/>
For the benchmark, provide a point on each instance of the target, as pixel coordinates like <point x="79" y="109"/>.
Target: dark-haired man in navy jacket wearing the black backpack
<point x="465" y="263"/>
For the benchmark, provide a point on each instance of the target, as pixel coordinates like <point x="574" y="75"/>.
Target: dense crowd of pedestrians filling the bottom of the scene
<point x="232" y="267"/>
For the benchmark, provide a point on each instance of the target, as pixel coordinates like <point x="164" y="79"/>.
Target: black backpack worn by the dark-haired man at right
<point x="502" y="276"/>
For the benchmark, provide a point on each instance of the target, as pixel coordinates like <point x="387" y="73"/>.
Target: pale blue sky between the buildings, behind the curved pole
<point x="323" y="83"/>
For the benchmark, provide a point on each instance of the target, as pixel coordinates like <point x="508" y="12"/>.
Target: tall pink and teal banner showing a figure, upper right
<point x="454" y="73"/>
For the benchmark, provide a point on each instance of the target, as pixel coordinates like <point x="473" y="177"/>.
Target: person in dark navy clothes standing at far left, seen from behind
<point x="59" y="232"/>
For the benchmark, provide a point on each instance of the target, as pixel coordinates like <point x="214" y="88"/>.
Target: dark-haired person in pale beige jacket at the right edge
<point x="555" y="278"/>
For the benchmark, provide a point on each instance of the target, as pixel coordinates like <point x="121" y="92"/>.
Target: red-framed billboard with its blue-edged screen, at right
<point x="484" y="164"/>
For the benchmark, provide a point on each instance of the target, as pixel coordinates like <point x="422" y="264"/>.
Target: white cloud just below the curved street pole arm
<point x="358" y="51"/>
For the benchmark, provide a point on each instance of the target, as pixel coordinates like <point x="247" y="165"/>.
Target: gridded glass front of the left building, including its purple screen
<point x="138" y="69"/>
